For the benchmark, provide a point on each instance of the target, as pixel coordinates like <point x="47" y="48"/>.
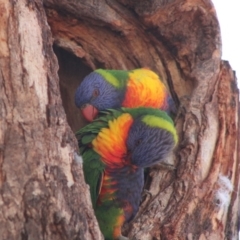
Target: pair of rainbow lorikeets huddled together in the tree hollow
<point x="130" y="134"/>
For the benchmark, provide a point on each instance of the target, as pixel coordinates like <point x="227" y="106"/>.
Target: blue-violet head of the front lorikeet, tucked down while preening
<point x="148" y="145"/>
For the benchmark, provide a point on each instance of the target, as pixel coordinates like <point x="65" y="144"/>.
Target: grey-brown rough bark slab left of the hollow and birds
<point x="42" y="190"/>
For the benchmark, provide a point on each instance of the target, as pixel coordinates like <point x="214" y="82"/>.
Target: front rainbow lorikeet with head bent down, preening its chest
<point x="116" y="147"/>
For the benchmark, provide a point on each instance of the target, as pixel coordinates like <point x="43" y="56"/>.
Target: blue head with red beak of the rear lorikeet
<point x="98" y="93"/>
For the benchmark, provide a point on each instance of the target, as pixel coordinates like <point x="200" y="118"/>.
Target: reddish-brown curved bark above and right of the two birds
<point x="180" y="40"/>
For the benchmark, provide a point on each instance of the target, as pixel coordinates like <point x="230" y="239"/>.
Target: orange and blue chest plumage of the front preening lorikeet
<point x="122" y="182"/>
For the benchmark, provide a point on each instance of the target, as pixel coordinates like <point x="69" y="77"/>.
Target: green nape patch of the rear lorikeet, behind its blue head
<point x="117" y="78"/>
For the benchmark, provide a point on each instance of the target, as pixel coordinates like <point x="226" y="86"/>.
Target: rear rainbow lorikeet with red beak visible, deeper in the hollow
<point x="104" y="89"/>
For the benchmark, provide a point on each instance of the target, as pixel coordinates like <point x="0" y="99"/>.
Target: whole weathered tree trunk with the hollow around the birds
<point x="43" y="194"/>
